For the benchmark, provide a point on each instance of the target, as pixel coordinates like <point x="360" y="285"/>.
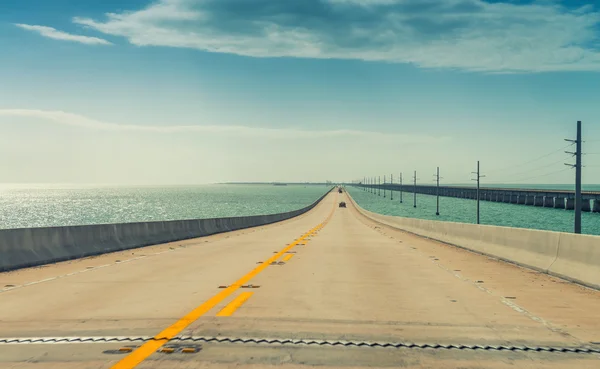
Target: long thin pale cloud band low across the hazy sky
<point x="64" y="118"/>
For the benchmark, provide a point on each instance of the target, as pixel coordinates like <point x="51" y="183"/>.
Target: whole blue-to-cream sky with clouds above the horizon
<point x="205" y="91"/>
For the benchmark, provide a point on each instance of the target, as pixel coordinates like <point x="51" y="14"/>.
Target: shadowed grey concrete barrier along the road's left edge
<point x="27" y="247"/>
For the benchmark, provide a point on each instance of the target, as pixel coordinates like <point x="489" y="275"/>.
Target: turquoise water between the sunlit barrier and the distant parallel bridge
<point x="464" y="210"/>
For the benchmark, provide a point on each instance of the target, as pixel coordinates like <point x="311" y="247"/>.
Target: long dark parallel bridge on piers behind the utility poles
<point x="535" y="197"/>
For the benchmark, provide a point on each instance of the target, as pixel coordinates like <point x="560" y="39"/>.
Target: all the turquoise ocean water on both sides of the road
<point x="59" y="205"/>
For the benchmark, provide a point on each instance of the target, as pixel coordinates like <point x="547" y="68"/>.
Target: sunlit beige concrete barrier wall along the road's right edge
<point x="570" y="256"/>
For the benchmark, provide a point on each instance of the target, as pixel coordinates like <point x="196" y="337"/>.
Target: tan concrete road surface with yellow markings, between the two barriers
<point x="330" y="277"/>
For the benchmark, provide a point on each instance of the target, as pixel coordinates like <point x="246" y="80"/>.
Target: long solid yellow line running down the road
<point x="143" y="352"/>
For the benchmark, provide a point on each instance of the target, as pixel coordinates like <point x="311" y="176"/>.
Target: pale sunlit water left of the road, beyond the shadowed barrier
<point x="45" y="206"/>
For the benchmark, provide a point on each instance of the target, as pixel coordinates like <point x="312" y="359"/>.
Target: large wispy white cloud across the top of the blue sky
<point x="466" y="34"/>
